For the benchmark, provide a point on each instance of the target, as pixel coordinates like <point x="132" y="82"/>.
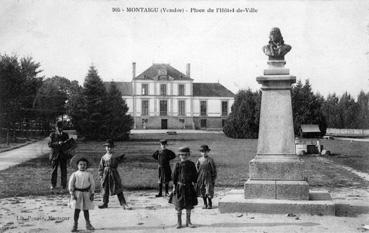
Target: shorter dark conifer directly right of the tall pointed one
<point x="118" y="122"/>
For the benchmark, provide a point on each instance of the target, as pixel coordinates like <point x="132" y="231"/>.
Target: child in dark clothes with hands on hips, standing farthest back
<point x="163" y="156"/>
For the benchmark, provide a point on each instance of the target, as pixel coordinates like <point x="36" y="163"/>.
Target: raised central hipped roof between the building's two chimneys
<point x="162" y="71"/>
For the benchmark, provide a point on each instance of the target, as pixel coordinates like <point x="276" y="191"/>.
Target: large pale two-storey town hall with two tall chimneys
<point x="164" y="98"/>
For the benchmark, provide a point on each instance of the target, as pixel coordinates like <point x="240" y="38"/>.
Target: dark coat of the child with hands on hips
<point x="163" y="157"/>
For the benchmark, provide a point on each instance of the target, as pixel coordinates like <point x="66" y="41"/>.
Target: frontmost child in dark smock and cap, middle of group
<point x="184" y="178"/>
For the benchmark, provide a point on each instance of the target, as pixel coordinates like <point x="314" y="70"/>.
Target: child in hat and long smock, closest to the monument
<point x="207" y="173"/>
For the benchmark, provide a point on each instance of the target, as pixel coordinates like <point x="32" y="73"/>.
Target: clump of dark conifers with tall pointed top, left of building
<point x="96" y="113"/>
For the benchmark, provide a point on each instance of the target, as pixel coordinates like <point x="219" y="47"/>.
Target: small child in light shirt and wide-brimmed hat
<point x="81" y="188"/>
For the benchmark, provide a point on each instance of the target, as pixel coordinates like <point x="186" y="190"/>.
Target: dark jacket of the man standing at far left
<point x="56" y="149"/>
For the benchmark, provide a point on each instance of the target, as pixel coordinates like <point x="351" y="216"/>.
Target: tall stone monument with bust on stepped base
<point x="276" y="181"/>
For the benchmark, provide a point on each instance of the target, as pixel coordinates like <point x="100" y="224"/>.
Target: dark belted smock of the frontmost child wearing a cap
<point x="184" y="176"/>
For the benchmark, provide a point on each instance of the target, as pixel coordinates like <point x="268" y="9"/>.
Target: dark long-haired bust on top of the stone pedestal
<point x="276" y="48"/>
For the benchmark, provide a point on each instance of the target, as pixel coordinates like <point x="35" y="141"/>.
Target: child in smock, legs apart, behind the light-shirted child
<point x="109" y="176"/>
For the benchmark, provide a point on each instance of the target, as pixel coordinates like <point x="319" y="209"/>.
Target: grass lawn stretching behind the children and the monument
<point x="139" y="170"/>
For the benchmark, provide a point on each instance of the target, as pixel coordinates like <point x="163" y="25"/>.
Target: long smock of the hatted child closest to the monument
<point x="207" y="173"/>
